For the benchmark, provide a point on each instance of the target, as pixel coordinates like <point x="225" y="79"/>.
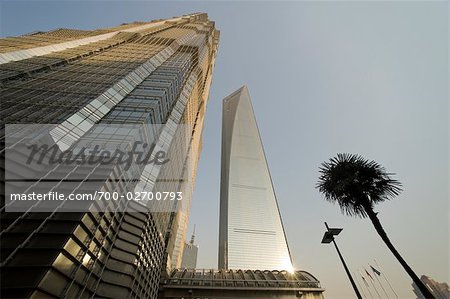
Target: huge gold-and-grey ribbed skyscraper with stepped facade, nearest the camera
<point x="156" y="72"/>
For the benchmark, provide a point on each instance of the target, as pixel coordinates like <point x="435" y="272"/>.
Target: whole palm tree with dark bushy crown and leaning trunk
<point x="357" y="184"/>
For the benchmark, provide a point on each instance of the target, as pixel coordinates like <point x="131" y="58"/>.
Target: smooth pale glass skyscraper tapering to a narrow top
<point x="251" y="233"/>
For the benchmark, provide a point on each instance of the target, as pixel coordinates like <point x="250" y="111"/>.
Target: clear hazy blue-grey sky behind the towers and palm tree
<point x="325" y="77"/>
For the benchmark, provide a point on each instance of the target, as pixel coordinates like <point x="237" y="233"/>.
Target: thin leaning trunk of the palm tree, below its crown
<point x="379" y="228"/>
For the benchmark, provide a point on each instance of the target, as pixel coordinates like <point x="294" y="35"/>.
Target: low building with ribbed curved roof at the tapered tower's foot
<point x="221" y="284"/>
